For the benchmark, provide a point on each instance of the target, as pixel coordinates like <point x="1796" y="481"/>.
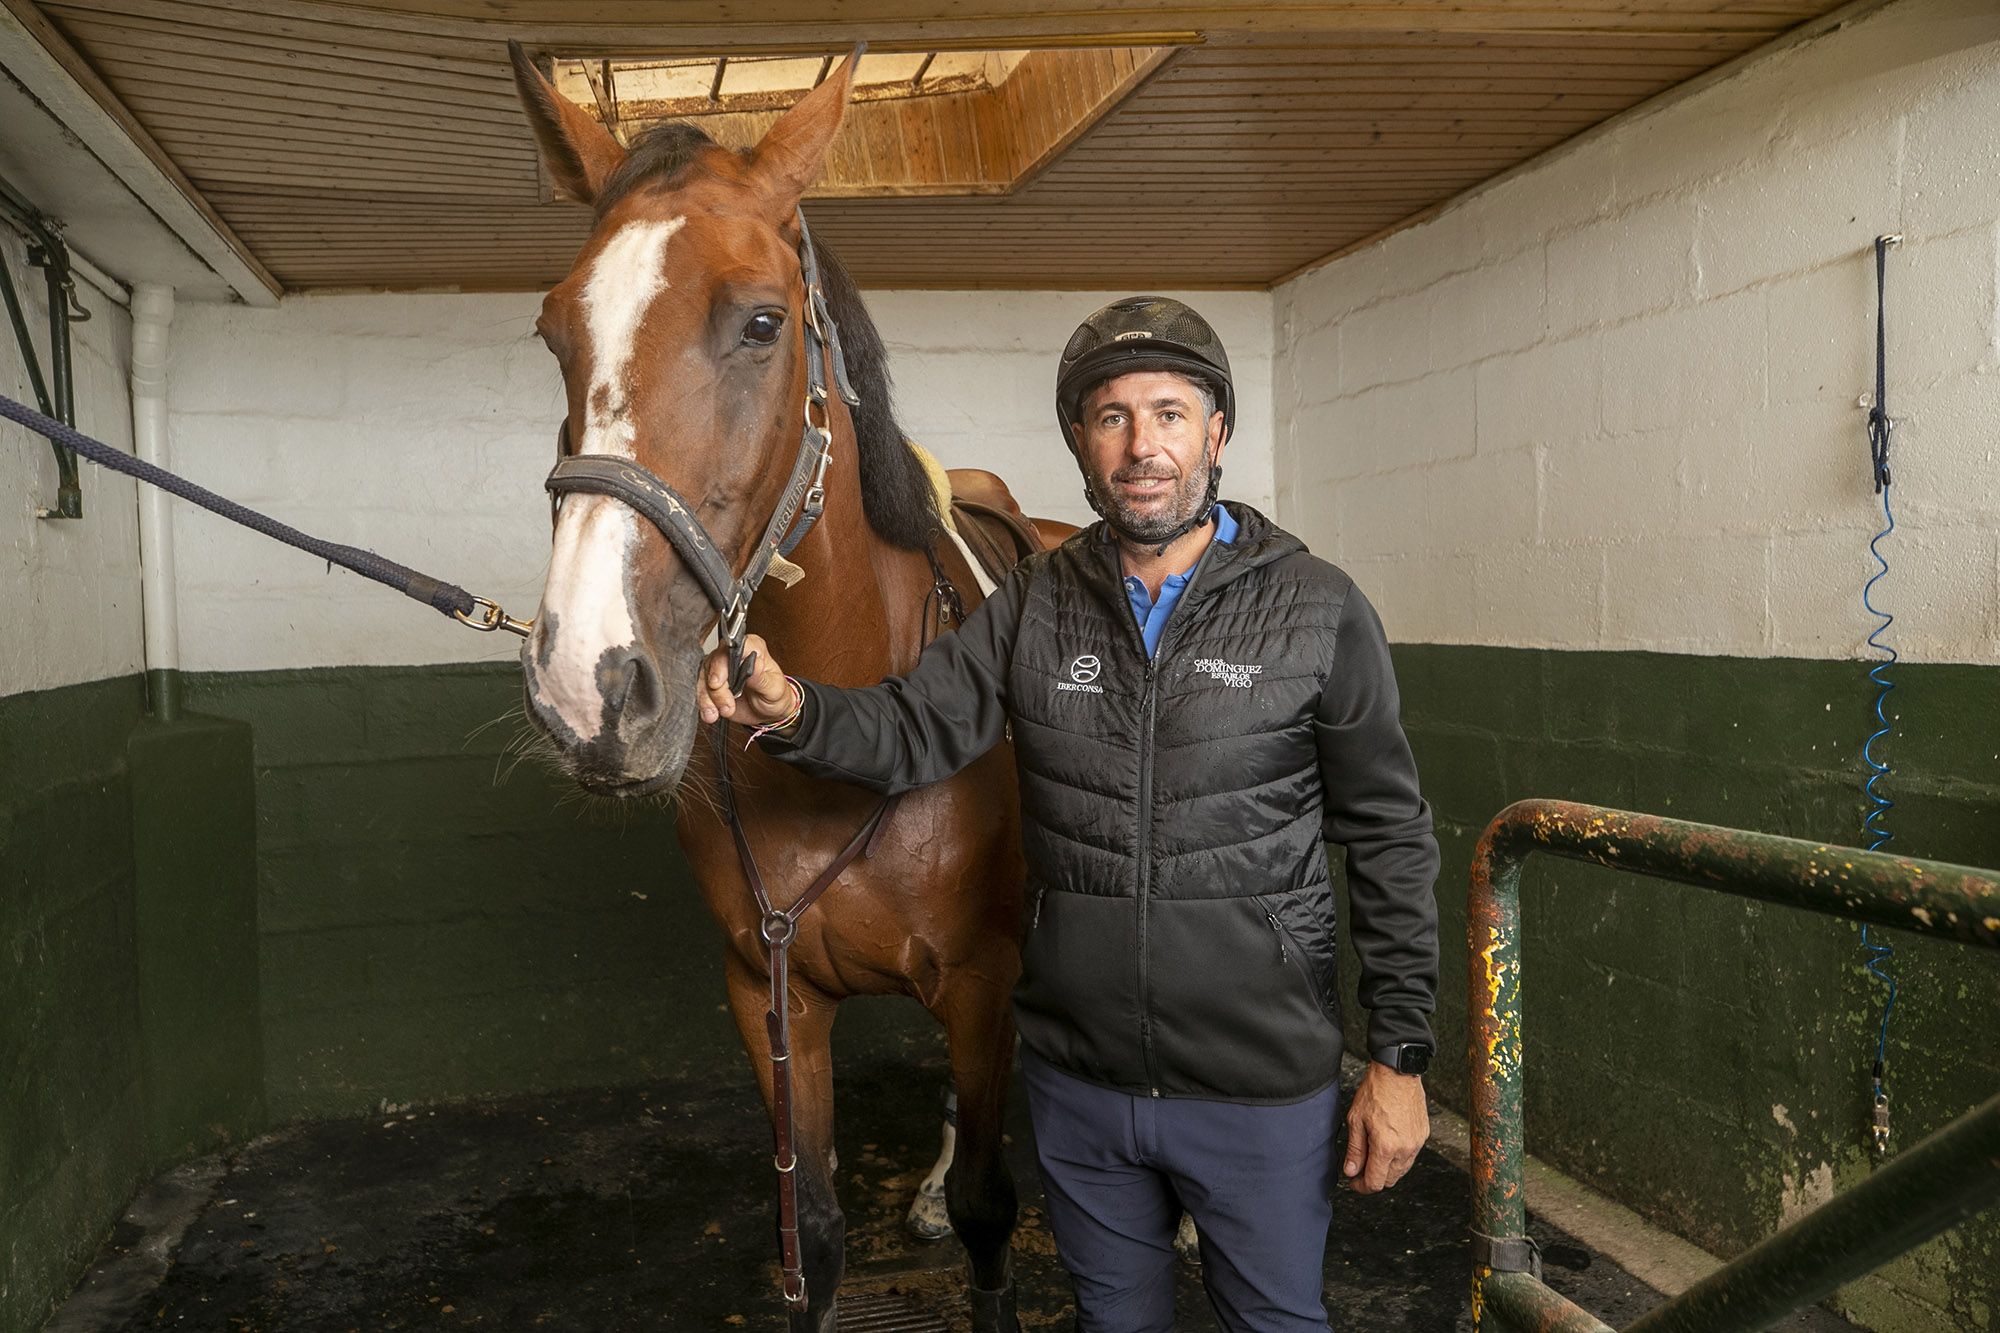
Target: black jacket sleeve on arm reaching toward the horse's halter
<point x="923" y="728"/>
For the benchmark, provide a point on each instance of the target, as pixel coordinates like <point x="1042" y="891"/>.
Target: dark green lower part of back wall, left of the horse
<point x="443" y="924"/>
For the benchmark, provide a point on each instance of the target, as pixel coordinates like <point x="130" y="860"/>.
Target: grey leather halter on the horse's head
<point x="799" y="507"/>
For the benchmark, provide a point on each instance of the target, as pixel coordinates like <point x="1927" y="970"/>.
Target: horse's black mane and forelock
<point x="895" y="487"/>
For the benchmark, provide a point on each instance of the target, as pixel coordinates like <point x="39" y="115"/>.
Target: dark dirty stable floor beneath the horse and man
<point x="651" y="1208"/>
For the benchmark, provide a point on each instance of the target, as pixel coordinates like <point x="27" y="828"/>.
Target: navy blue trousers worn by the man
<point x="1119" y="1170"/>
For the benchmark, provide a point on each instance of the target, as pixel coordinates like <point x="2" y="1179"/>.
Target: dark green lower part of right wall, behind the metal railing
<point x="1701" y="1058"/>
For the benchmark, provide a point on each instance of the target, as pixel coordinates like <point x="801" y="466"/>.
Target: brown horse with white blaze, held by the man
<point x="683" y="343"/>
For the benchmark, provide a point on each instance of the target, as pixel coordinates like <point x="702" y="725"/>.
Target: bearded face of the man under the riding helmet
<point x="1147" y="449"/>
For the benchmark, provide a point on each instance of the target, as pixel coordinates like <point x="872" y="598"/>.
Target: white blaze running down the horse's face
<point x="589" y="571"/>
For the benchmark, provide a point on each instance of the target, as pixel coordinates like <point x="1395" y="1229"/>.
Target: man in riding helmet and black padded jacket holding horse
<point x="1195" y="704"/>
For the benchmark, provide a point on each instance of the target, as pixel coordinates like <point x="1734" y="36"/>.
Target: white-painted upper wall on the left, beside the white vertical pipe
<point x="69" y="601"/>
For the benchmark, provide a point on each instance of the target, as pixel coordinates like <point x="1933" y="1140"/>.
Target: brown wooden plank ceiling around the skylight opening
<point x="377" y="143"/>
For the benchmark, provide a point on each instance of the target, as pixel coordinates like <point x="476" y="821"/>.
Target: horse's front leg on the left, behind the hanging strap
<point x="823" y="1230"/>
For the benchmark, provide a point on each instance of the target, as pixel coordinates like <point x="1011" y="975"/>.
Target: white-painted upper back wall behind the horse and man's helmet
<point x="421" y="427"/>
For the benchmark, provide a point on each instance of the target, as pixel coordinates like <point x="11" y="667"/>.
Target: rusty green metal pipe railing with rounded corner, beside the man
<point x="1929" y="898"/>
